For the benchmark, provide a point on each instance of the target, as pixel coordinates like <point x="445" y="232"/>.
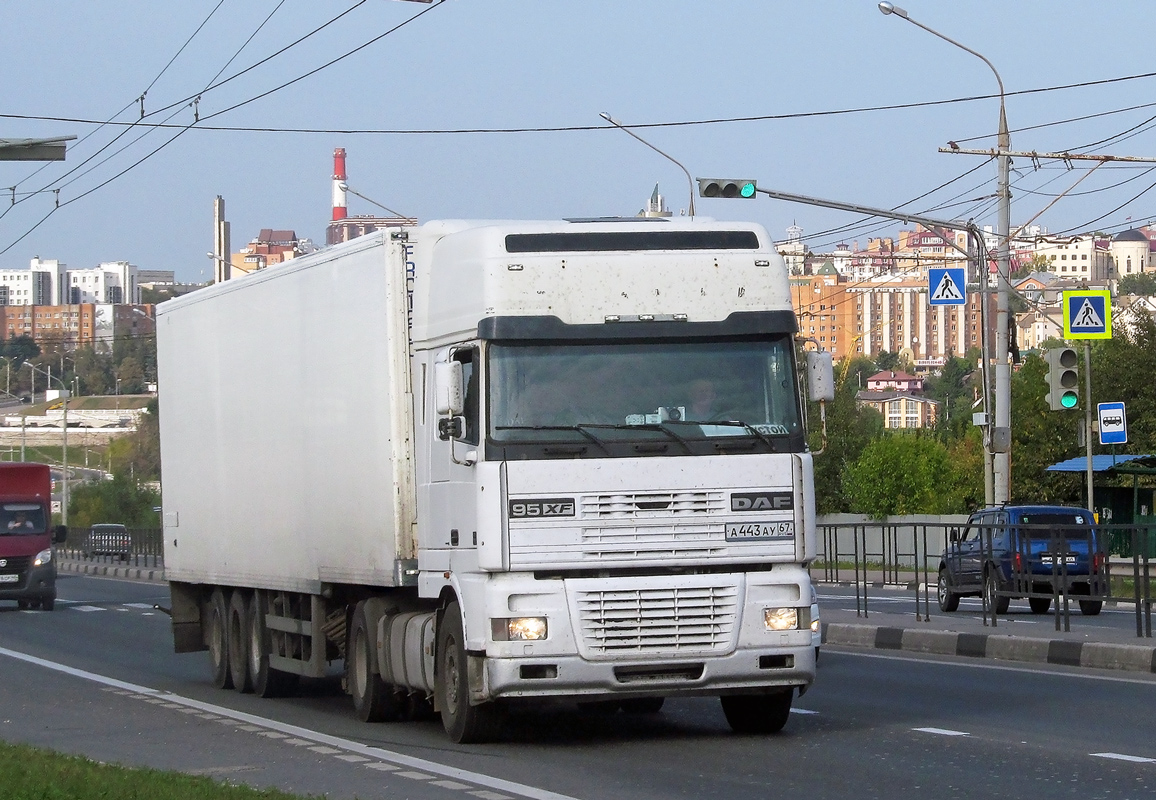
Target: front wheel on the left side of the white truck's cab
<point x="466" y="724"/>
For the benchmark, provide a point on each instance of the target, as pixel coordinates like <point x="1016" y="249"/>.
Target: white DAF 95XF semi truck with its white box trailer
<point x="479" y="464"/>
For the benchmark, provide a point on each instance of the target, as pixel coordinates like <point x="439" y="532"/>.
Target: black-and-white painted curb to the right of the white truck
<point x="1003" y="648"/>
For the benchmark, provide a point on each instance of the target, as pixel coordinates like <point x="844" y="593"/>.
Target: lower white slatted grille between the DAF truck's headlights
<point x="657" y="621"/>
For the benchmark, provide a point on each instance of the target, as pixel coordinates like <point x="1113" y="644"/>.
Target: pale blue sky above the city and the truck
<point x="490" y="109"/>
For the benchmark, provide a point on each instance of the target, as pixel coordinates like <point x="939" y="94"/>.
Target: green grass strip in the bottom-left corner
<point x="34" y="774"/>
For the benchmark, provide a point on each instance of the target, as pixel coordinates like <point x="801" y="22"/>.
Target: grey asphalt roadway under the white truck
<point x="876" y="724"/>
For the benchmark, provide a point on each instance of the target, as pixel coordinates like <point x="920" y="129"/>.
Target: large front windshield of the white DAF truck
<point x="672" y="392"/>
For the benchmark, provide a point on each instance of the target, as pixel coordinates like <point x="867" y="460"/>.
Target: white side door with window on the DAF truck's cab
<point x="453" y="488"/>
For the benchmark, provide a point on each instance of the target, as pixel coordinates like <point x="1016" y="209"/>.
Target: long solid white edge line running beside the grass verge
<point x="313" y="737"/>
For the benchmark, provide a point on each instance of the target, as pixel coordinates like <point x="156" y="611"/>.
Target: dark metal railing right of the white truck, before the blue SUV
<point x="909" y="555"/>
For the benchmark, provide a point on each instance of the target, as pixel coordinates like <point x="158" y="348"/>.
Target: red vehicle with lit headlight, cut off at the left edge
<point x="28" y="574"/>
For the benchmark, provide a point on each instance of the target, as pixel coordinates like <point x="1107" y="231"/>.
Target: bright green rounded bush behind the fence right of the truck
<point x="903" y="475"/>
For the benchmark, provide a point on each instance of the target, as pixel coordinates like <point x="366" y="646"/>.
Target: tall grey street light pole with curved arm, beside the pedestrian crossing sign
<point x="1001" y="435"/>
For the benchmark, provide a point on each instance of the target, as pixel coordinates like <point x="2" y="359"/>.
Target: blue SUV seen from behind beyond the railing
<point x="1025" y="552"/>
